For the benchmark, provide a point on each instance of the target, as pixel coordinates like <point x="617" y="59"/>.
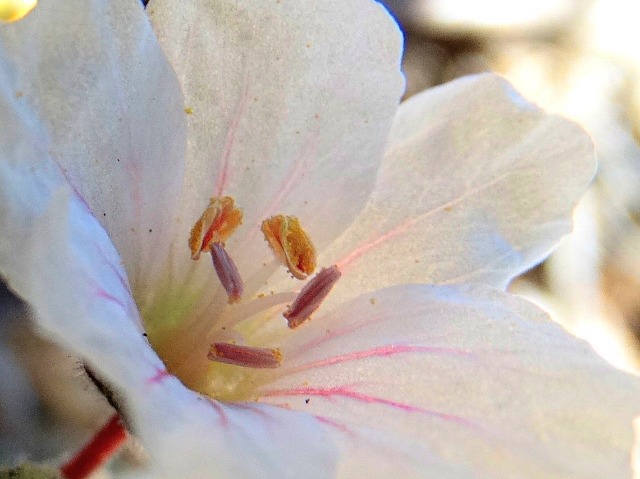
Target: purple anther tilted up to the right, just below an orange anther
<point x="311" y="296"/>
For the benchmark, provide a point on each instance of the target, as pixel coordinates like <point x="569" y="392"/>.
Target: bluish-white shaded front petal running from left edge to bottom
<point x="56" y="256"/>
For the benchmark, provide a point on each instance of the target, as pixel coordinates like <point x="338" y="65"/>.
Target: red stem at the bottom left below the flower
<point x="101" y="447"/>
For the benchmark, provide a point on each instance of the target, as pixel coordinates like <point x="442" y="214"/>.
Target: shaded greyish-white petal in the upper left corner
<point x="94" y="75"/>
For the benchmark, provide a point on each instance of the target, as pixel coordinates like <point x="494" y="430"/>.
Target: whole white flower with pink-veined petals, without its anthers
<point x="418" y="364"/>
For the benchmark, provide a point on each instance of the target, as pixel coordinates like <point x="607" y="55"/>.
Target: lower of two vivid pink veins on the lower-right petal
<point x="343" y="391"/>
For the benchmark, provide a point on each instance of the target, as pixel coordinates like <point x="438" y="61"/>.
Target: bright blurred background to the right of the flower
<point x="580" y="59"/>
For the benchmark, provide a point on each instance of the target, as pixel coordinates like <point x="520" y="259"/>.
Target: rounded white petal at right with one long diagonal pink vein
<point x="477" y="186"/>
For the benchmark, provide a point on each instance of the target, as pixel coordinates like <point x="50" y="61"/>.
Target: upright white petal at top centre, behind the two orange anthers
<point x="291" y="106"/>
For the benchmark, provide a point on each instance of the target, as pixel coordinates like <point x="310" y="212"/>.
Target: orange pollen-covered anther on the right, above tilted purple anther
<point x="291" y="244"/>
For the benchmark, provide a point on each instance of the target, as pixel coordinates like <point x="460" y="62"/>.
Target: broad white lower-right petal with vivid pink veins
<point x="475" y="377"/>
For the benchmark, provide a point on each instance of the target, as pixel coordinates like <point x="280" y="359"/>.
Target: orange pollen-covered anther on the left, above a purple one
<point x="217" y="223"/>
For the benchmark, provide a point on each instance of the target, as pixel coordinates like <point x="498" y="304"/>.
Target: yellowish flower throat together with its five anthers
<point x="228" y="357"/>
